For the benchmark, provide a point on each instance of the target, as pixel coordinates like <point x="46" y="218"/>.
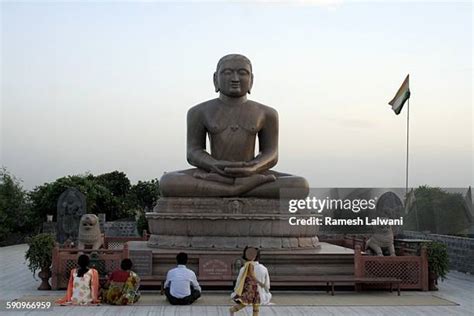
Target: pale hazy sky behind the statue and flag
<point x="103" y="86"/>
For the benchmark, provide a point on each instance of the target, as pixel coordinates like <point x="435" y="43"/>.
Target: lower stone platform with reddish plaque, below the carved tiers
<point x="224" y="265"/>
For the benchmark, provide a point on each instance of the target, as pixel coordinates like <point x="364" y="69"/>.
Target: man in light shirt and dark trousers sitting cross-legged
<point x="181" y="286"/>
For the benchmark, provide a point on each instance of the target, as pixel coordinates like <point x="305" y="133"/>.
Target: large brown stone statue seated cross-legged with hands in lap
<point x="232" y="123"/>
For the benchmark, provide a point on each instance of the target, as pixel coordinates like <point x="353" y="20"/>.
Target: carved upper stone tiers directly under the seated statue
<point x="228" y="223"/>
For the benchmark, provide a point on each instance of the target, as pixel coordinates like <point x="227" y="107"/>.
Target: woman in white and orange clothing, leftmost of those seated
<point x="83" y="286"/>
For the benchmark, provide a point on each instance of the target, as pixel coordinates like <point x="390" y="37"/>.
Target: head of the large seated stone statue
<point x="233" y="76"/>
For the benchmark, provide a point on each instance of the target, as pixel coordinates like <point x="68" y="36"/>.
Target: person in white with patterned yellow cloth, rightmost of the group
<point x="253" y="283"/>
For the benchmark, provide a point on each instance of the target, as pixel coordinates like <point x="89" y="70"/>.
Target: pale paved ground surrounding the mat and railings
<point x="17" y="281"/>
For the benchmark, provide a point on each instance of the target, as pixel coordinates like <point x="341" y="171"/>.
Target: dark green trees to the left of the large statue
<point x="22" y="213"/>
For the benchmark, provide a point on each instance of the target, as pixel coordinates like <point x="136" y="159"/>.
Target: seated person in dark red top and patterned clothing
<point x="122" y="285"/>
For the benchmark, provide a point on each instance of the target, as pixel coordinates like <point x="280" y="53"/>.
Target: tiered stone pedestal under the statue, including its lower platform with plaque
<point x="214" y="231"/>
